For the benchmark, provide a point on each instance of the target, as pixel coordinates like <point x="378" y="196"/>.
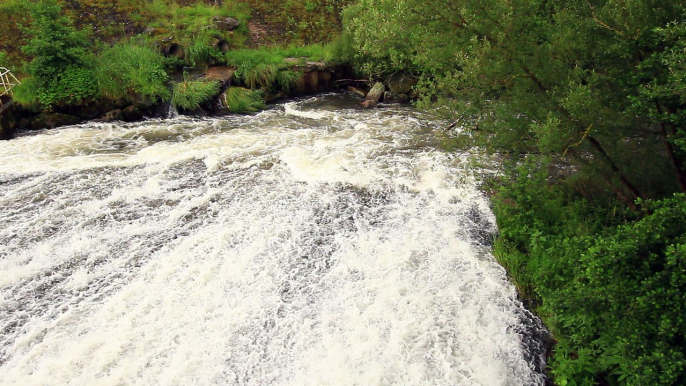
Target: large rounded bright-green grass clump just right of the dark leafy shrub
<point x="132" y="68"/>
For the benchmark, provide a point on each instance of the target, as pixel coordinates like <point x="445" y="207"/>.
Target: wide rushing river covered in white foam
<point x="310" y="244"/>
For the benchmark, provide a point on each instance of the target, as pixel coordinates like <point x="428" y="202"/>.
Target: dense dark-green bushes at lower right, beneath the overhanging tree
<point x="610" y="287"/>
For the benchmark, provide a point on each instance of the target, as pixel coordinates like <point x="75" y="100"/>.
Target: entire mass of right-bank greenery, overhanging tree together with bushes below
<point x="591" y="95"/>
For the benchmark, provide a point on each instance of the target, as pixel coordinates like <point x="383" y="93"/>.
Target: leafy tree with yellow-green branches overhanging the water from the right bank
<point x="576" y="80"/>
